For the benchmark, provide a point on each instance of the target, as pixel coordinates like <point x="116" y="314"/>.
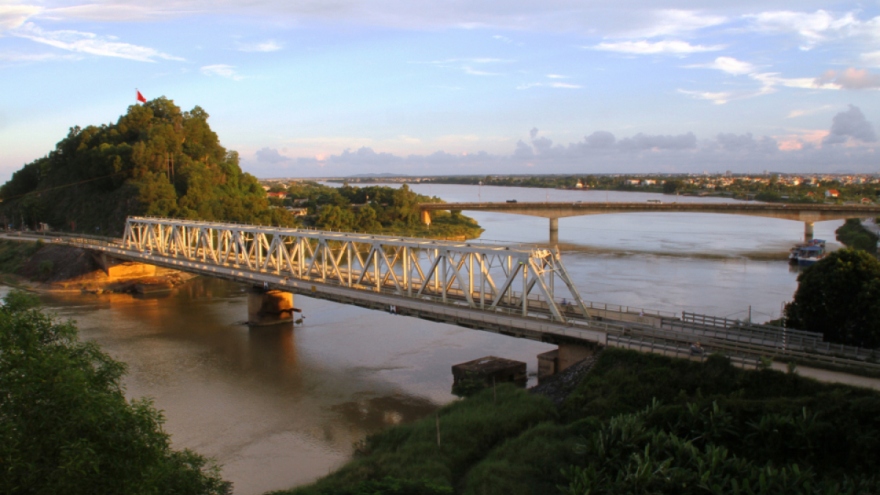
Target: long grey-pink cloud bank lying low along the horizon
<point x="601" y="152"/>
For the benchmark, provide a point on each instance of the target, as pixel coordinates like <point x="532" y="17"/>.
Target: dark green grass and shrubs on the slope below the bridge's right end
<point x="639" y="424"/>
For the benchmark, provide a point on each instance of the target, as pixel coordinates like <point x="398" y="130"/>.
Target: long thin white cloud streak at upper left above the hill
<point x="90" y="43"/>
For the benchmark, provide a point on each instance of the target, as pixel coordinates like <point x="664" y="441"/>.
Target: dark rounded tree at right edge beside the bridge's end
<point x="840" y="297"/>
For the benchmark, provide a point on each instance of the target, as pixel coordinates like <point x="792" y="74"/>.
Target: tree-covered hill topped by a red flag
<point x="155" y="160"/>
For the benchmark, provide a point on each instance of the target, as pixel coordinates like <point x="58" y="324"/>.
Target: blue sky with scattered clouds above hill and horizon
<point x="320" y="88"/>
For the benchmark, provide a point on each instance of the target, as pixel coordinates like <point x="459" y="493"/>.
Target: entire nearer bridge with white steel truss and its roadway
<point x="514" y="290"/>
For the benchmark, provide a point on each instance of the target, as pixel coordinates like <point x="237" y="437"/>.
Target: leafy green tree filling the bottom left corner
<point x="66" y="426"/>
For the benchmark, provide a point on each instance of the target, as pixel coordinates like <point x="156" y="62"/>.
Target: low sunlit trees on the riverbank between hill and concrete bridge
<point x="378" y="209"/>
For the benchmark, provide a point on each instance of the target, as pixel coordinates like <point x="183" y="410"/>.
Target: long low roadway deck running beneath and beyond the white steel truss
<point x="602" y="325"/>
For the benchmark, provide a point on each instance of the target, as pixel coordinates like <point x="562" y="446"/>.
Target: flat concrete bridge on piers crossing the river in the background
<point x="807" y="213"/>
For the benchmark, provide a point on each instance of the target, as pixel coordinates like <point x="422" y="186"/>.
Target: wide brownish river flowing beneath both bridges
<point x="279" y="407"/>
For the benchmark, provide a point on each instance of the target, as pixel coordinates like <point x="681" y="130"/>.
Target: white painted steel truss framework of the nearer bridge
<point x="475" y="275"/>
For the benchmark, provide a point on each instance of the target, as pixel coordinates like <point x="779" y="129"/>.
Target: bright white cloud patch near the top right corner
<point x="813" y="28"/>
